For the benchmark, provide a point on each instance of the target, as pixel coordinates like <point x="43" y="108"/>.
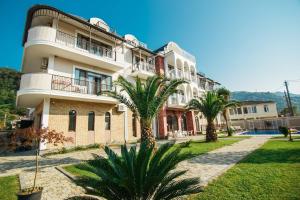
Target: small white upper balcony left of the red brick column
<point x="143" y="70"/>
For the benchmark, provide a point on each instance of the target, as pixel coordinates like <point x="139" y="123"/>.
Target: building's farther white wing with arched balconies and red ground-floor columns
<point x="175" y="117"/>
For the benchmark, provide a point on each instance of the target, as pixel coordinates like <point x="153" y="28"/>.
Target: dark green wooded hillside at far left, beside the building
<point x="9" y="84"/>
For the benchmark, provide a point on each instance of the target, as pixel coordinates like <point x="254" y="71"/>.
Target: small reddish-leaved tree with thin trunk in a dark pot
<point x="34" y="137"/>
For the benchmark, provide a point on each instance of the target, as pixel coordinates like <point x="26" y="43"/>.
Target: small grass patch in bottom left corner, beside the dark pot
<point x="9" y="186"/>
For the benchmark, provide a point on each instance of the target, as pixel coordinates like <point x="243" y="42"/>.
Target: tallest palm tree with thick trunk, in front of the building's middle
<point x="146" y="99"/>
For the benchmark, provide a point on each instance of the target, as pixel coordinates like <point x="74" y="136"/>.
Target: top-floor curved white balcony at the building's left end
<point x="53" y="41"/>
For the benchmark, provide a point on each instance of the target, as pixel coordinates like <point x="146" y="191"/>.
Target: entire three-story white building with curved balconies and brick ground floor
<point x="68" y="63"/>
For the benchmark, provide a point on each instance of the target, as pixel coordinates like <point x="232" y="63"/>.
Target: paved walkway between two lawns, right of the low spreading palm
<point x="214" y="163"/>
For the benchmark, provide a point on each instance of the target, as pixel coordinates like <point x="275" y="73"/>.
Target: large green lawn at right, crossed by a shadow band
<point x="270" y="173"/>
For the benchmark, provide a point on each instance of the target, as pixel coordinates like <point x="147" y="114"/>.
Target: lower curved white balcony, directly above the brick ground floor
<point x="34" y="87"/>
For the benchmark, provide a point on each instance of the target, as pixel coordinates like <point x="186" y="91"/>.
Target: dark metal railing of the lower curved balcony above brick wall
<point x="79" y="86"/>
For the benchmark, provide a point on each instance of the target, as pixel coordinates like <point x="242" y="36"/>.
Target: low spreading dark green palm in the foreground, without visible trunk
<point x="141" y="175"/>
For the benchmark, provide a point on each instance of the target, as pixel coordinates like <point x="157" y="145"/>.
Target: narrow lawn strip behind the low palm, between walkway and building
<point x="89" y="179"/>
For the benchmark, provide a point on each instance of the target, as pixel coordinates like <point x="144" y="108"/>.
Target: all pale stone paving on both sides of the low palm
<point x="57" y="186"/>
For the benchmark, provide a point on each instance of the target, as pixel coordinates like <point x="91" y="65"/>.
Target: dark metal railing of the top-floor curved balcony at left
<point x="80" y="43"/>
